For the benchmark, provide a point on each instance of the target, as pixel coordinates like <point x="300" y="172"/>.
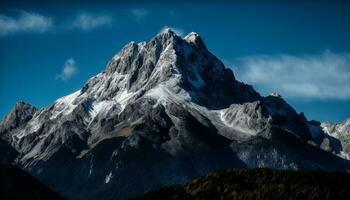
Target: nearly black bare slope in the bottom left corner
<point x="17" y="184"/>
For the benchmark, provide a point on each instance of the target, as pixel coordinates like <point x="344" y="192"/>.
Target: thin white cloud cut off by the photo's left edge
<point x="25" y="22"/>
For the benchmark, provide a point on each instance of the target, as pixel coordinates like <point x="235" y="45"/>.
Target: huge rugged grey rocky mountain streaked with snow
<point x="163" y="112"/>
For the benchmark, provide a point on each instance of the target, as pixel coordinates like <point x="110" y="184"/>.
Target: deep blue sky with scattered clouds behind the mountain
<point x="300" y="50"/>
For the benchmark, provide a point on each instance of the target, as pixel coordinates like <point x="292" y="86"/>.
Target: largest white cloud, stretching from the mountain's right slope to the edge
<point x="323" y="76"/>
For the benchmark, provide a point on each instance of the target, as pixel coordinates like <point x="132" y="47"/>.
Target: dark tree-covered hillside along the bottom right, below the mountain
<point x="260" y="184"/>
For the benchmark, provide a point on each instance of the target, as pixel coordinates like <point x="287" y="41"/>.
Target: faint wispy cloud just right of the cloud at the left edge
<point x="86" y="21"/>
